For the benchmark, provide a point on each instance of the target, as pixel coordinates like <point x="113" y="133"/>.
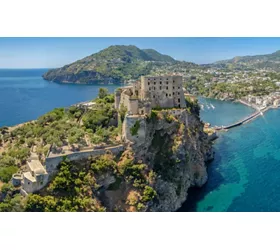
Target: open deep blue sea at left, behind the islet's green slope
<point x="25" y="95"/>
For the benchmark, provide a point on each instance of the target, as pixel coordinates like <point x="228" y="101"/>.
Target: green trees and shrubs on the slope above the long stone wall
<point x="63" y="129"/>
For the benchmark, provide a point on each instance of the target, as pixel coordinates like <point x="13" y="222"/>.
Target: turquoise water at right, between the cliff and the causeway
<point x="245" y="174"/>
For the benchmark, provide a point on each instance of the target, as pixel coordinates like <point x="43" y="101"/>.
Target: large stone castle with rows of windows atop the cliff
<point x="151" y="92"/>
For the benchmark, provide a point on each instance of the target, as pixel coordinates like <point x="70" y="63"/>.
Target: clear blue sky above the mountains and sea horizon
<point x="56" y="52"/>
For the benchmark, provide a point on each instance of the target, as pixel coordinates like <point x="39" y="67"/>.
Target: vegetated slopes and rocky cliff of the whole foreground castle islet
<point x="154" y="176"/>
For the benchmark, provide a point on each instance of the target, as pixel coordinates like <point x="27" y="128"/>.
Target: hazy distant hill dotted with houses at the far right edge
<point x="269" y="61"/>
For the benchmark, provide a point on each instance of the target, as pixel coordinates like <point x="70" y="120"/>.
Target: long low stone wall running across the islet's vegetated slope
<point x="53" y="162"/>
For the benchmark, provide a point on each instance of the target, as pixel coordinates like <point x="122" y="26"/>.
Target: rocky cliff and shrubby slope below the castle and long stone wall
<point x="162" y="157"/>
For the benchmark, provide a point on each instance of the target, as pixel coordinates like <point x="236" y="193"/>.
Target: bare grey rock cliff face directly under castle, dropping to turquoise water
<point x="172" y="143"/>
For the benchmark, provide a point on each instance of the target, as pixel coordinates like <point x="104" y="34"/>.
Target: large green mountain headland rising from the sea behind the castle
<point x="113" y="64"/>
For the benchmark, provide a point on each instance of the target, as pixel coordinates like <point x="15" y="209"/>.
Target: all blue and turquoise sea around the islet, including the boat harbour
<point x="245" y="174"/>
